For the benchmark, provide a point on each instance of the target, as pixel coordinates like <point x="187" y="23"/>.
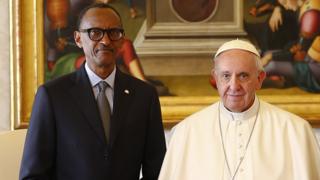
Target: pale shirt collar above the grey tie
<point x="95" y="79"/>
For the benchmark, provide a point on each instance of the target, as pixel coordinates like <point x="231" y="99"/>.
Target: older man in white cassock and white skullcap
<point x="241" y="137"/>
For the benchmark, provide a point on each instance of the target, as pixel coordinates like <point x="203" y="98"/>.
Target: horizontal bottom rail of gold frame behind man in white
<point x="307" y="106"/>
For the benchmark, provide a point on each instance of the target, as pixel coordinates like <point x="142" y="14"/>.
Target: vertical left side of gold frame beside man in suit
<point x="26" y="57"/>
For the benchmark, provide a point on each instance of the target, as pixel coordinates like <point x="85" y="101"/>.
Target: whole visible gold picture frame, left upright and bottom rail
<point x="27" y="73"/>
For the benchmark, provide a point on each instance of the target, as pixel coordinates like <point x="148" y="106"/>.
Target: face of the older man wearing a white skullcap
<point x="237" y="79"/>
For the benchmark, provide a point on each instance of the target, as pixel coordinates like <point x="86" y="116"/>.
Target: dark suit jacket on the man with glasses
<point x="65" y="139"/>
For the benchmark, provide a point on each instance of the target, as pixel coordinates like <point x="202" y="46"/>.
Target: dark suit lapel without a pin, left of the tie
<point x="84" y="98"/>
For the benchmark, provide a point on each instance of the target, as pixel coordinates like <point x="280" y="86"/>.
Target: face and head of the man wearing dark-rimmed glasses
<point x="102" y="53"/>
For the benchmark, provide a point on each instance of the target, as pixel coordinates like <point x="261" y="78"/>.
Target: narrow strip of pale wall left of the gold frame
<point x="4" y="66"/>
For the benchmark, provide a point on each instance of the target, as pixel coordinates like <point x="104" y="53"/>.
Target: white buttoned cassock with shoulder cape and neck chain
<point x="282" y="146"/>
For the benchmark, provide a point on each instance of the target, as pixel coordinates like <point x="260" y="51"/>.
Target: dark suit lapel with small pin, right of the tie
<point x="123" y="93"/>
